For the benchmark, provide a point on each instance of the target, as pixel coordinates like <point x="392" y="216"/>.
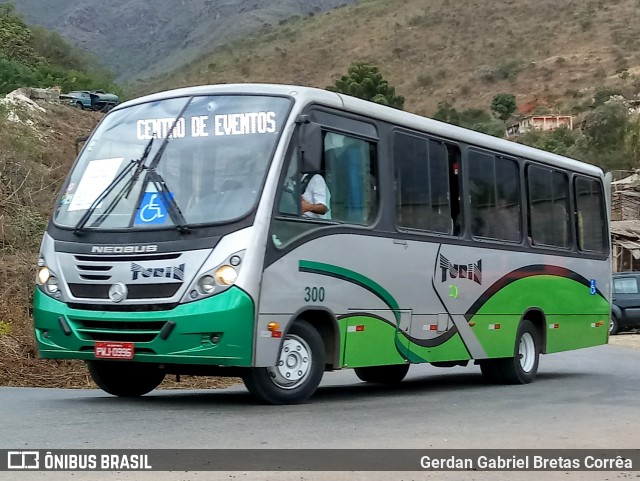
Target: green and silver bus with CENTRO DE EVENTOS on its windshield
<point x="177" y="246"/>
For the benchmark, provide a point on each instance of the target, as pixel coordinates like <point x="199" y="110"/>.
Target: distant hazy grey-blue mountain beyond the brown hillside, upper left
<point x="135" y="37"/>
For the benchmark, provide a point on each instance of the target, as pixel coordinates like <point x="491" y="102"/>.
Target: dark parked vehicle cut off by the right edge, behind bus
<point x="625" y="302"/>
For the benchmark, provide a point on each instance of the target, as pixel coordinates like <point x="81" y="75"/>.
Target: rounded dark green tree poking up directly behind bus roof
<point x="366" y="82"/>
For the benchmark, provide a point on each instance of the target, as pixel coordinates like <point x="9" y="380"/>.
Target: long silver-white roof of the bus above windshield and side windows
<point x="306" y="95"/>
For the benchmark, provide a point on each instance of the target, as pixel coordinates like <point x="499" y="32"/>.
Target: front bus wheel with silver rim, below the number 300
<point x="298" y="372"/>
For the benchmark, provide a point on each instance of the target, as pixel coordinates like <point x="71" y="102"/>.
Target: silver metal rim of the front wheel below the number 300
<point x="294" y="364"/>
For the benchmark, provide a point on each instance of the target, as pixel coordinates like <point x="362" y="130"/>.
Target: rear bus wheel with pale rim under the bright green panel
<point x="523" y="366"/>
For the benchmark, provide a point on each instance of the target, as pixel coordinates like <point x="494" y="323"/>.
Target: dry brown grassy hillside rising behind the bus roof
<point x="437" y="50"/>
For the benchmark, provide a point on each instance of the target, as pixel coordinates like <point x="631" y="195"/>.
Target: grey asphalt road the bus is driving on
<point x="582" y="399"/>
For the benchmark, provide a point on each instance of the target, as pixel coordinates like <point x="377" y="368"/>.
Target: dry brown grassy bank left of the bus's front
<point x="36" y="151"/>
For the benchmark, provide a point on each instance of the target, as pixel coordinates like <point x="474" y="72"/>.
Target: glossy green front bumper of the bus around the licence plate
<point x="228" y="318"/>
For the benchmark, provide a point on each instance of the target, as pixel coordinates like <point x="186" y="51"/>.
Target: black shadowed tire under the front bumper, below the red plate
<point x="125" y="379"/>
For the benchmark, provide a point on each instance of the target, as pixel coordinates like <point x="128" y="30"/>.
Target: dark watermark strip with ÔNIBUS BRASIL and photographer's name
<point x="321" y="460"/>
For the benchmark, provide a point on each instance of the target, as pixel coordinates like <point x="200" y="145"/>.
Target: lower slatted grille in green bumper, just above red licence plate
<point x="125" y="331"/>
